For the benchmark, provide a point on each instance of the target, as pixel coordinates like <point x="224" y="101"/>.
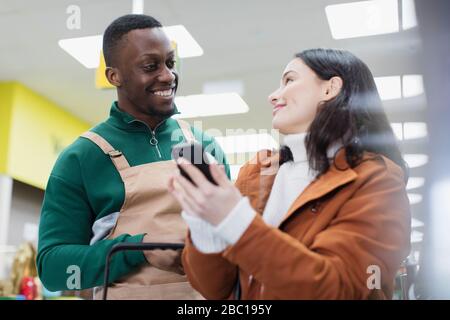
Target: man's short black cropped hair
<point x="119" y="28"/>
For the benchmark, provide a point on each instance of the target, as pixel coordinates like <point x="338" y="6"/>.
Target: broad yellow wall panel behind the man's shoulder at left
<point x="38" y="131"/>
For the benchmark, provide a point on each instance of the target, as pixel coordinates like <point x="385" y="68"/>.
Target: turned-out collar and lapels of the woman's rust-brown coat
<point x="337" y="175"/>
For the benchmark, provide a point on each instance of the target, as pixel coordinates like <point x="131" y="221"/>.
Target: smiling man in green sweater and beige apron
<point x="110" y="185"/>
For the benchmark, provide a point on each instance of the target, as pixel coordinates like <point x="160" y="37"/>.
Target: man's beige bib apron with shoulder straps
<point x="150" y="208"/>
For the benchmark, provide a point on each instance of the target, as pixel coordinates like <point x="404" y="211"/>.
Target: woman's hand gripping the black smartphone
<point x="205" y="200"/>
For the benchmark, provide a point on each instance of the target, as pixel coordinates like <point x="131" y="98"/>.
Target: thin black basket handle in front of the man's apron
<point x="140" y="246"/>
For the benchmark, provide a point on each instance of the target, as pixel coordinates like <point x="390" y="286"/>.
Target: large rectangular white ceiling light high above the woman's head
<point x="364" y="18"/>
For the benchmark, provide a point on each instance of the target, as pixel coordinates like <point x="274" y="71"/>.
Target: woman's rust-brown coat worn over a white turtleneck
<point x="340" y="231"/>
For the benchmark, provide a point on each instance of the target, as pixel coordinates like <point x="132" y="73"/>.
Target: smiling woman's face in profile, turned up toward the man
<point x="295" y="102"/>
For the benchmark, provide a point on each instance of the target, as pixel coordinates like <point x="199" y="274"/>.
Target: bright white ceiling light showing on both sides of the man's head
<point x="86" y="50"/>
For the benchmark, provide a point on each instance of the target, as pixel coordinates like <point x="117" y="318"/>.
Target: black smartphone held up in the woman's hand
<point x="195" y="154"/>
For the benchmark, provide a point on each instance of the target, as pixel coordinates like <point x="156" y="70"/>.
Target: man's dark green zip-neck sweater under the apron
<point x="85" y="186"/>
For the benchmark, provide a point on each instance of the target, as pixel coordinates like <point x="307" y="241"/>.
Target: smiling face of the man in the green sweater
<point x="146" y="63"/>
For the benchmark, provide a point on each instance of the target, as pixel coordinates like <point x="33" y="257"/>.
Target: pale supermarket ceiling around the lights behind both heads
<point x="246" y="41"/>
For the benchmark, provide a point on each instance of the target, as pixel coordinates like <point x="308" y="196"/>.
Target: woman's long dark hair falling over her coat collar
<point x="355" y="117"/>
